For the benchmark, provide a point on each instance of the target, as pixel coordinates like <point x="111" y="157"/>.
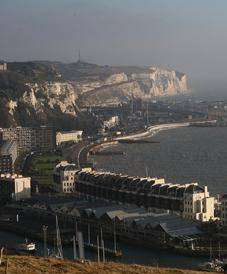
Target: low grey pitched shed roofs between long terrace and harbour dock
<point x="131" y="216"/>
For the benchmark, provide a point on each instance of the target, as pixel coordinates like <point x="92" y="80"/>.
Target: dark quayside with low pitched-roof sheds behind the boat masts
<point x="132" y="224"/>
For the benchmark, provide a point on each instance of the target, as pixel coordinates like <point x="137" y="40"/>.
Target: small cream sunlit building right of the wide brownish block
<point x="68" y="136"/>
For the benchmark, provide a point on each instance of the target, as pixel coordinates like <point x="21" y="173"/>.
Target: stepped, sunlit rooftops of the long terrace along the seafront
<point x="136" y="184"/>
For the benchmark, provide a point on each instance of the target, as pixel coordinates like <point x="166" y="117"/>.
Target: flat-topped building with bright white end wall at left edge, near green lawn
<point x="14" y="187"/>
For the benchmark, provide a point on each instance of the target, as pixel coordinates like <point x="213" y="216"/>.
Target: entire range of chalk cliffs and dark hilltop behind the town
<point x="35" y="93"/>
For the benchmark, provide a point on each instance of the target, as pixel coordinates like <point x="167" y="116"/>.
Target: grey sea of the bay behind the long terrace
<point x="182" y="156"/>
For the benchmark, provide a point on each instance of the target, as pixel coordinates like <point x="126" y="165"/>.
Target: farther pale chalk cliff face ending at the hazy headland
<point x="152" y="83"/>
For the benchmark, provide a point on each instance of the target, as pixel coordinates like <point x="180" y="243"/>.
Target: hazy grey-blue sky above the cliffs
<point x="186" y="35"/>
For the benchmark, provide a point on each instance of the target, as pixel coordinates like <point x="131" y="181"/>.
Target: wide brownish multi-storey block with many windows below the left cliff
<point x="31" y="138"/>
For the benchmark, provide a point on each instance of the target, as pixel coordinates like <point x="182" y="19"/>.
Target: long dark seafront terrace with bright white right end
<point x="190" y="200"/>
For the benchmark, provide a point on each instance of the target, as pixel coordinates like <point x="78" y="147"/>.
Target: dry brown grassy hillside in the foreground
<point x="32" y="265"/>
